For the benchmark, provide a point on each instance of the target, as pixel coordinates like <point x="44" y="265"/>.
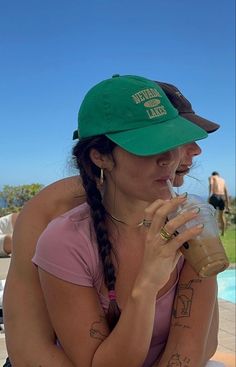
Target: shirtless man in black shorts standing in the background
<point x="219" y="198"/>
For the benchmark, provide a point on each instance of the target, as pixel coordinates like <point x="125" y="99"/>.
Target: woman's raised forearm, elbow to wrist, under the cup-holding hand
<point x="129" y="342"/>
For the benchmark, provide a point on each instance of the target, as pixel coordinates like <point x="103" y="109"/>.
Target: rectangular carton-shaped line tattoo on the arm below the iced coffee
<point x="184" y="299"/>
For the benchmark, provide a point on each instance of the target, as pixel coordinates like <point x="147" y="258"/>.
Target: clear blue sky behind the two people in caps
<point x="52" y="52"/>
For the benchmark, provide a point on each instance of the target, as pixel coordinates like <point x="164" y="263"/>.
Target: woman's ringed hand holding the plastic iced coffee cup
<point x="161" y="255"/>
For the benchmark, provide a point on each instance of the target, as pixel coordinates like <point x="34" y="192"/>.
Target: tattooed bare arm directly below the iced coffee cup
<point x="193" y="335"/>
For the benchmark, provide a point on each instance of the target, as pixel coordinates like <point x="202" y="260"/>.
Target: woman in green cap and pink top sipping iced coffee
<point x="109" y="269"/>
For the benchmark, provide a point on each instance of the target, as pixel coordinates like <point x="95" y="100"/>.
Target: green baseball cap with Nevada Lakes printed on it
<point x="135" y="113"/>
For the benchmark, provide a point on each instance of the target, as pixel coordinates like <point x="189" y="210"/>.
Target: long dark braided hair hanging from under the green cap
<point x="90" y="173"/>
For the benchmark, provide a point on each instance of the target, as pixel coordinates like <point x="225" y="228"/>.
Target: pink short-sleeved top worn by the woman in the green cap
<point x="68" y="249"/>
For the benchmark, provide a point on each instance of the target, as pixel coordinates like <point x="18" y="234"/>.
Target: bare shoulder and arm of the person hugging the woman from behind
<point x="25" y="313"/>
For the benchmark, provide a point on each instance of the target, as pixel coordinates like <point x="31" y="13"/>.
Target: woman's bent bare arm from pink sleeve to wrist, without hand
<point x="76" y="311"/>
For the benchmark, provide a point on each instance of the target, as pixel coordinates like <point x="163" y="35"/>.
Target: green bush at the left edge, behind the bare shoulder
<point x="14" y="197"/>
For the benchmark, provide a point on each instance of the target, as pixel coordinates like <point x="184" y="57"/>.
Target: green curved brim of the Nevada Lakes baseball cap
<point x="158" y="138"/>
